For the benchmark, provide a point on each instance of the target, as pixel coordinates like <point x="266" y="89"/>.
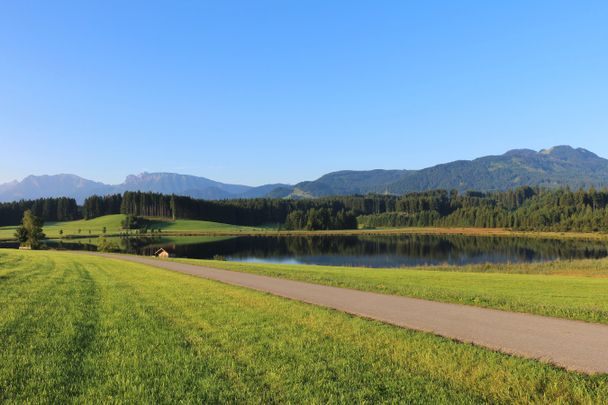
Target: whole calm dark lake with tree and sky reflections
<point x="367" y="251"/>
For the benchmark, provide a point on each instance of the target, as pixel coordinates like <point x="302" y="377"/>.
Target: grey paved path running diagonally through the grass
<point x="574" y="345"/>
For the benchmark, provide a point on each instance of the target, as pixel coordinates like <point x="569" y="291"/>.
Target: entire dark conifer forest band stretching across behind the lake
<point x="524" y="208"/>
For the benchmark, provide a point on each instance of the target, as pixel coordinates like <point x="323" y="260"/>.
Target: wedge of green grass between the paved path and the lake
<point x="573" y="297"/>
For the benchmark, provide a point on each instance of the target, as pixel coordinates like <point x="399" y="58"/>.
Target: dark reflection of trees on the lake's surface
<point x="435" y="248"/>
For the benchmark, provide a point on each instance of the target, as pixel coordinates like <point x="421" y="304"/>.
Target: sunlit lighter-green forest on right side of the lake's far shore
<point x="524" y="208"/>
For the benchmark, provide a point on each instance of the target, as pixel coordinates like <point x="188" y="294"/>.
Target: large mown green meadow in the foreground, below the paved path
<point x="78" y="329"/>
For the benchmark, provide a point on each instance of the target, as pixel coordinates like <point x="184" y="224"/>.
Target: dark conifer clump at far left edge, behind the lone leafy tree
<point x="47" y="209"/>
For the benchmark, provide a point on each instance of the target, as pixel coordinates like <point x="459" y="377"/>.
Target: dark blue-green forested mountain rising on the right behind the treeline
<point x="557" y="167"/>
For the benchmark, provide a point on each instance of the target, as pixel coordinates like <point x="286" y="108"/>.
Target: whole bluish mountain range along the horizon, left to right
<point x="559" y="166"/>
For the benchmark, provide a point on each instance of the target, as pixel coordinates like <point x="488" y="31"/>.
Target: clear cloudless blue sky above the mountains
<point x="256" y="92"/>
